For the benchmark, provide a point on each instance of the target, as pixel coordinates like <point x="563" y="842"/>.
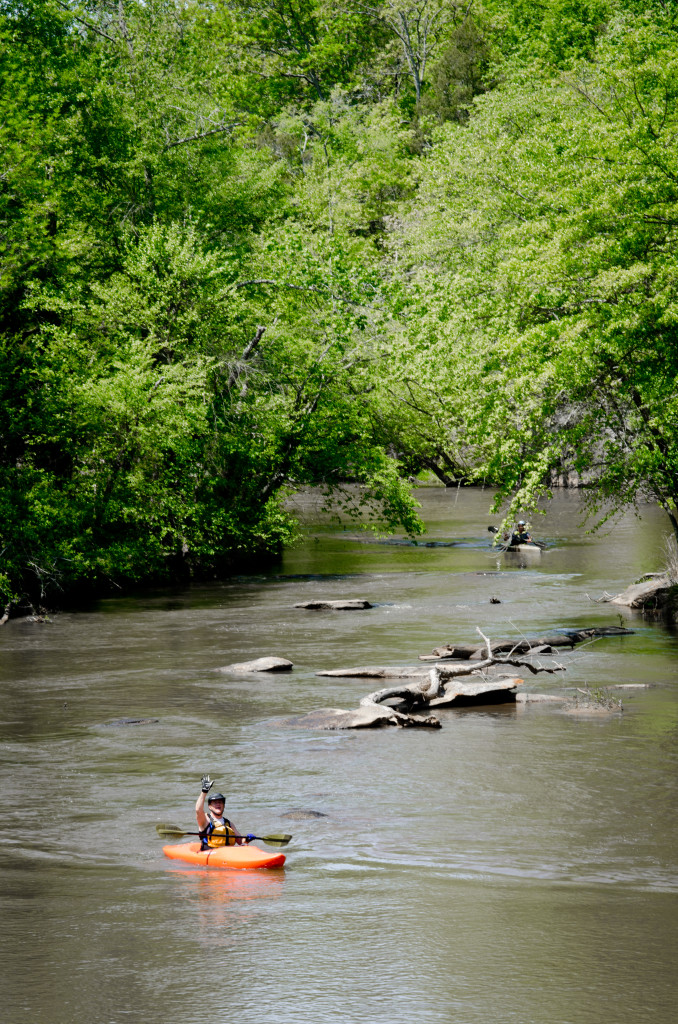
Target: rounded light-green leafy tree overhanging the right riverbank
<point x="554" y="220"/>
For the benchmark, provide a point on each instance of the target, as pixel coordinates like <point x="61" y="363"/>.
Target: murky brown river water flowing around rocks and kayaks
<point x="517" y="867"/>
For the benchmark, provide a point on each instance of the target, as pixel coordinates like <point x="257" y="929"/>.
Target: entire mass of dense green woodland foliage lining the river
<point x="247" y="247"/>
